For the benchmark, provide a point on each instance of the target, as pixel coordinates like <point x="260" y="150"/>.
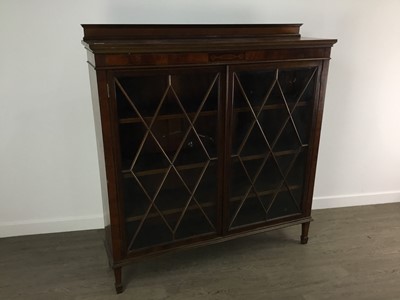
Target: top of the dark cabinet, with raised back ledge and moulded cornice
<point x="183" y="38"/>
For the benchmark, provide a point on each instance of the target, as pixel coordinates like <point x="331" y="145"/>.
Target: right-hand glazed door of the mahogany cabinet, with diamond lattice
<point x="272" y="119"/>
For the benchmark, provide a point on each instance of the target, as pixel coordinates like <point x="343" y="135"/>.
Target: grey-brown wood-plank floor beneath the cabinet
<point x="353" y="253"/>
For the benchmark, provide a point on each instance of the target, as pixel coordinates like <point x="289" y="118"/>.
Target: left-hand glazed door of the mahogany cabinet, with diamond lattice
<point x="167" y="131"/>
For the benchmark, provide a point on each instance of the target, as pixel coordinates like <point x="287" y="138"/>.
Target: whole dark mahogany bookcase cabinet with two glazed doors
<point x="209" y="132"/>
